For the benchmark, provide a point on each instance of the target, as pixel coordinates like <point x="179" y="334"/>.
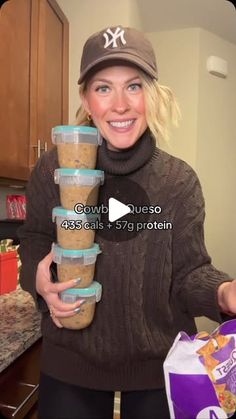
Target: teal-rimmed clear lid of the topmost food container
<point x="75" y="134"/>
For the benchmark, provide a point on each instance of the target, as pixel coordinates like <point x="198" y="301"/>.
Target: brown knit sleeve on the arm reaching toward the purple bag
<point x="195" y="279"/>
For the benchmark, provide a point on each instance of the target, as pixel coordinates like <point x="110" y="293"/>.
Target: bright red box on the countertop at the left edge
<point x="8" y="272"/>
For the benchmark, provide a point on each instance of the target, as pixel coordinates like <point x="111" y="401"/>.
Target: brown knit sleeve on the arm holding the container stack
<point x="38" y="232"/>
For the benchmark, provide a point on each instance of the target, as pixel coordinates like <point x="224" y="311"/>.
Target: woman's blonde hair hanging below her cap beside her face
<point x="161" y="107"/>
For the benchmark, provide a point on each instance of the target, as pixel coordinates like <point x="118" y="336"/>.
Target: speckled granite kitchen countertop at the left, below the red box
<point x="19" y="325"/>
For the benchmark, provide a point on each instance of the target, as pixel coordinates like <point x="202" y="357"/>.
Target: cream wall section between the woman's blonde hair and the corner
<point x="177" y="54"/>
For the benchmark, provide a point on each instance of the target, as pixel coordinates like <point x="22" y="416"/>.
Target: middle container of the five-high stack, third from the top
<point x="75" y="231"/>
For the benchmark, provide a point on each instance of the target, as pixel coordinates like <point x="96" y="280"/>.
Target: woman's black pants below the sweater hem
<point x="58" y="400"/>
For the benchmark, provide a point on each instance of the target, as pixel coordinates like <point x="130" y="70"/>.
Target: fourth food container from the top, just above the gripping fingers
<point x="75" y="264"/>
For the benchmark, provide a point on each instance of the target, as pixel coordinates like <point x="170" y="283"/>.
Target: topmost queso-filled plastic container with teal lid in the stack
<point x="76" y="146"/>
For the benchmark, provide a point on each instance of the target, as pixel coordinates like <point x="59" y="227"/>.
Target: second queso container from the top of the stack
<point x="78" y="186"/>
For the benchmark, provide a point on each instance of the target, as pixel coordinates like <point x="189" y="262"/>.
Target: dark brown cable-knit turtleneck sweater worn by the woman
<point x="153" y="285"/>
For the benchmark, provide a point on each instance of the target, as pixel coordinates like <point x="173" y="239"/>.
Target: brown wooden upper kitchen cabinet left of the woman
<point x="33" y="82"/>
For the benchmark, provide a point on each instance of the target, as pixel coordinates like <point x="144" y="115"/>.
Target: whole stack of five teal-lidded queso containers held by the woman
<point x="75" y="251"/>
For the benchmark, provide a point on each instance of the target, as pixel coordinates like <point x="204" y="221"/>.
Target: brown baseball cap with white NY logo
<point x="118" y="44"/>
